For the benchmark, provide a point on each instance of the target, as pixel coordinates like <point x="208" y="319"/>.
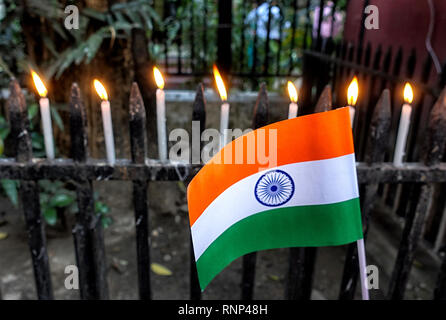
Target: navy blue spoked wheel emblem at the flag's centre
<point x="274" y="188"/>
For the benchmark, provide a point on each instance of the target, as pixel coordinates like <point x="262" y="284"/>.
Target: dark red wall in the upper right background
<point x="402" y="23"/>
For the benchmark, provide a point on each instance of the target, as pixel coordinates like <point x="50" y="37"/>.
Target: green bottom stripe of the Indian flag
<point x="303" y="226"/>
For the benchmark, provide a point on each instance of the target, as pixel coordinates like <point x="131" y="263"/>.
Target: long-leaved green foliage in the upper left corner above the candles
<point x="75" y="46"/>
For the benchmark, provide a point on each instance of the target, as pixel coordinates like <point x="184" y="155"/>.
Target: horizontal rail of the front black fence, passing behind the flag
<point x="155" y="170"/>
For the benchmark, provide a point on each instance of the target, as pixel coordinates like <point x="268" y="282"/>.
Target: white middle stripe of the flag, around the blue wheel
<point x="316" y="182"/>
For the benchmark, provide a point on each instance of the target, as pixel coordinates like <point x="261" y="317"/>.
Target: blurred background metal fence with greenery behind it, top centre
<point x="246" y="38"/>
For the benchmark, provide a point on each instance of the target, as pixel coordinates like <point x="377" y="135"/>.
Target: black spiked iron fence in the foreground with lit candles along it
<point x="87" y="233"/>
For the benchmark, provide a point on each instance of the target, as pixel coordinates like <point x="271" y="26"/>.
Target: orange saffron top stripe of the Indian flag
<point x="313" y="137"/>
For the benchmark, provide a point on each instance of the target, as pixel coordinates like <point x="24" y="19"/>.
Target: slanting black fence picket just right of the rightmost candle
<point x="434" y="147"/>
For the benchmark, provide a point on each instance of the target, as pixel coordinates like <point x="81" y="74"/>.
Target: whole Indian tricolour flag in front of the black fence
<point x="308" y="198"/>
